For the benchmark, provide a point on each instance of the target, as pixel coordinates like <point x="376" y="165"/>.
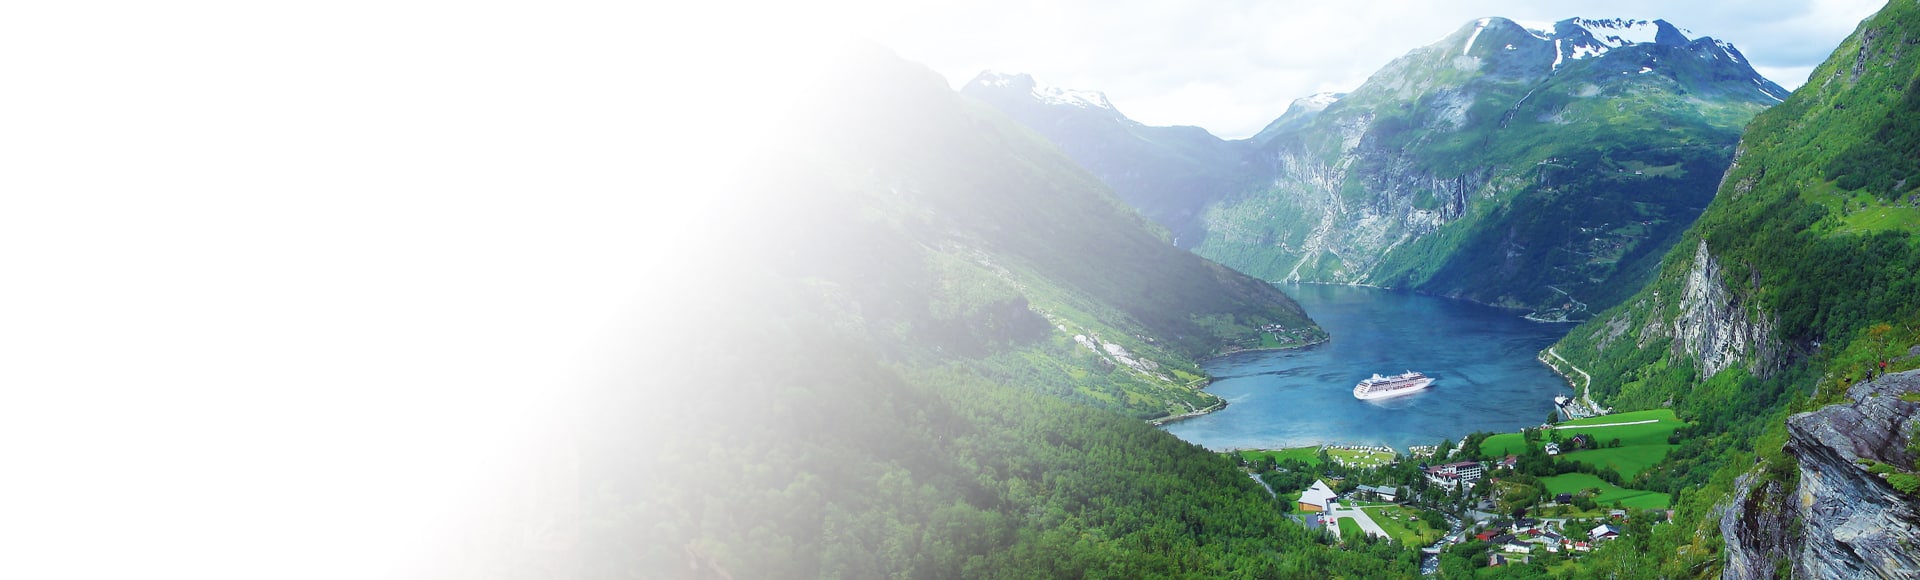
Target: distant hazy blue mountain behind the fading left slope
<point x="1170" y="174"/>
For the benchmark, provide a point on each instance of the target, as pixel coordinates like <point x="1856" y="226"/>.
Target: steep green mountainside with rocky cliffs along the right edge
<point x="1783" y="326"/>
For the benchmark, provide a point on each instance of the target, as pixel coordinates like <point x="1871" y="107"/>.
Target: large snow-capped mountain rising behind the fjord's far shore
<point x="1506" y="164"/>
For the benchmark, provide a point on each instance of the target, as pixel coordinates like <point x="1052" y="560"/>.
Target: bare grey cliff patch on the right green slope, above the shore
<point x="1716" y="329"/>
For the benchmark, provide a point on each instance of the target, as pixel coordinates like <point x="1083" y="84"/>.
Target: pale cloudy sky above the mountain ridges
<point x="1234" y="66"/>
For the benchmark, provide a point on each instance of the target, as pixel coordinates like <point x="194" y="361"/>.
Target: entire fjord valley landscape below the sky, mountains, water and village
<point x="1009" y="331"/>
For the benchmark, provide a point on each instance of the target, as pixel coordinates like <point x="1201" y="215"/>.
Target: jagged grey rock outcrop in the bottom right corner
<point x="1840" y="520"/>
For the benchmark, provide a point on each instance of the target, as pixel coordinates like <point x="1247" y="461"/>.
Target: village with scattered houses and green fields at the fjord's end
<point x="1543" y="496"/>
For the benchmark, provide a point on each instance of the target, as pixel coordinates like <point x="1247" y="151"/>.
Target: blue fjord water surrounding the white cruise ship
<point x="1483" y="362"/>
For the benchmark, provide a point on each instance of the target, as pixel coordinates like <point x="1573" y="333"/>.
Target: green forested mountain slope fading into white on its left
<point x="876" y="364"/>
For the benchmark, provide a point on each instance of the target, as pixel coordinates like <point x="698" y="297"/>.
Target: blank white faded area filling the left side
<point x="297" y="293"/>
